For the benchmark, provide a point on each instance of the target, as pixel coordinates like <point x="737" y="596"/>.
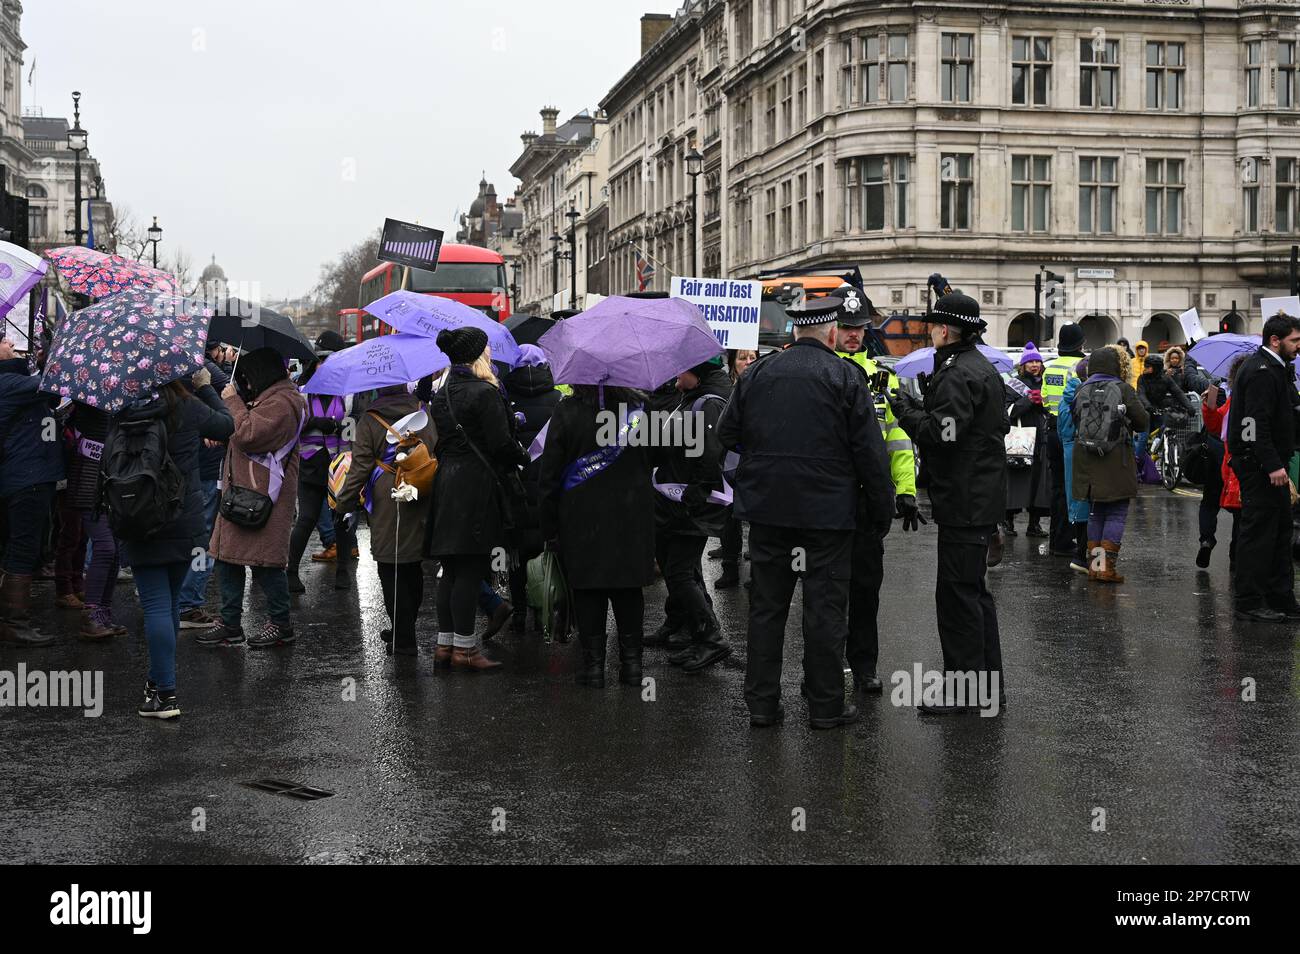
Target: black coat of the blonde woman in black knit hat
<point x="467" y="508"/>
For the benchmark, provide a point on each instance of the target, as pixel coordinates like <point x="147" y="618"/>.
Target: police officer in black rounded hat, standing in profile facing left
<point x="960" y="432"/>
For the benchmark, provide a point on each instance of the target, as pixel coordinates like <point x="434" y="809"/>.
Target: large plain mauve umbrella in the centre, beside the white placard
<point x="630" y="342"/>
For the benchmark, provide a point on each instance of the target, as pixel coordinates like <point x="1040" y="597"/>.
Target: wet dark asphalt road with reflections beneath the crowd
<point x="1121" y="700"/>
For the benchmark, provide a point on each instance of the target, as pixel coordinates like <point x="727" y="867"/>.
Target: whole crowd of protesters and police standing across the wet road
<point x="821" y="453"/>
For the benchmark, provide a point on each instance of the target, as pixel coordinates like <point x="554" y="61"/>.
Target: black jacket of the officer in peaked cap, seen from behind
<point x="805" y="427"/>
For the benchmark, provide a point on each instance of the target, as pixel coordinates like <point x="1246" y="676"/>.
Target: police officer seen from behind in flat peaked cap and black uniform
<point x="804" y="424"/>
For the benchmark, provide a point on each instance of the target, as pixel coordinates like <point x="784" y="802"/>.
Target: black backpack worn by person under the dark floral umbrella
<point x="142" y="488"/>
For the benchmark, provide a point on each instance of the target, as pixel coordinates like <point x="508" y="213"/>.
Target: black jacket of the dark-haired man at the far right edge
<point x="1266" y="392"/>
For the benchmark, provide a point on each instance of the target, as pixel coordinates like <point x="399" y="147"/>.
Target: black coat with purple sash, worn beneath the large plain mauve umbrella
<point x="605" y="526"/>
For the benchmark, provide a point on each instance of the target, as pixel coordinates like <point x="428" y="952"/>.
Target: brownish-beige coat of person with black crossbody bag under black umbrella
<point x="263" y="427"/>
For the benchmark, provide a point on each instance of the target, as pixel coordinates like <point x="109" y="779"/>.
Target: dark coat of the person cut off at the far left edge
<point x="24" y="410"/>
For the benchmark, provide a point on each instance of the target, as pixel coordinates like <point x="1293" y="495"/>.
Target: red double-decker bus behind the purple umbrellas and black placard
<point x="466" y="274"/>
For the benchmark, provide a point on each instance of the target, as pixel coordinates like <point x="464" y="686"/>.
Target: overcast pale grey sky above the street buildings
<point x="237" y="122"/>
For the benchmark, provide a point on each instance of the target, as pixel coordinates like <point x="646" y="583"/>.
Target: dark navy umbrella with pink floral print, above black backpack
<point x="123" y="349"/>
